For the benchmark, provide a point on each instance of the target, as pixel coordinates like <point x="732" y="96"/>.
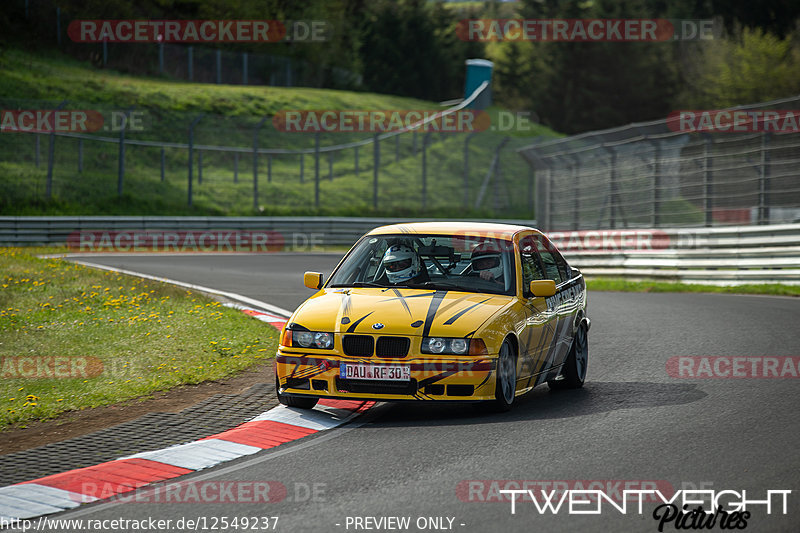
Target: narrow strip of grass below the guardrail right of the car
<point x="618" y="284"/>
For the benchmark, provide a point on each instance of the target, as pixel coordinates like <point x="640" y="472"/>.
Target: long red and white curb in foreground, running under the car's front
<point x="279" y="425"/>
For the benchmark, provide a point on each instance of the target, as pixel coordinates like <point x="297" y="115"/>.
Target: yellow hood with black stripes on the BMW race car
<point x="398" y="311"/>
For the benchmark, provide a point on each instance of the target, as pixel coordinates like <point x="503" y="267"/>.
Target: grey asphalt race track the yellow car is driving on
<point x="631" y="422"/>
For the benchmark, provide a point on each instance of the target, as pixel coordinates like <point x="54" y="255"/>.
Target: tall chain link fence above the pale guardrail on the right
<point x="647" y="175"/>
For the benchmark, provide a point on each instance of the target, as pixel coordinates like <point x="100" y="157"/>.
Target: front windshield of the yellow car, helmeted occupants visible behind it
<point x="447" y="262"/>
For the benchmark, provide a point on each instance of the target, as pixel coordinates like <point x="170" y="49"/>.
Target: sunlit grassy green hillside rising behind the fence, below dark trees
<point x="229" y="118"/>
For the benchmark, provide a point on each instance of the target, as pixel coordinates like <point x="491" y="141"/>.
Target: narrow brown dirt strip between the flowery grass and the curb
<point x="76" y="423"/>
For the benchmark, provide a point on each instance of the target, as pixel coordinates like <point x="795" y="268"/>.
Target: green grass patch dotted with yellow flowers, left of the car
<point x="111" y="337"/>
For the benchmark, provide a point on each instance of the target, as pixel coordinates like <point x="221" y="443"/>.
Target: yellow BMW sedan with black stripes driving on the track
<point x="438" y="311"/>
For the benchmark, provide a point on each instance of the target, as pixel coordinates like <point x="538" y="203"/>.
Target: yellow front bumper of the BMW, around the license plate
<point x="434" y="379"/>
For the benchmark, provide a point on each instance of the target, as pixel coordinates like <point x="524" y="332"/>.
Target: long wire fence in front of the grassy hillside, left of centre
<point x="246" y="165"/>
